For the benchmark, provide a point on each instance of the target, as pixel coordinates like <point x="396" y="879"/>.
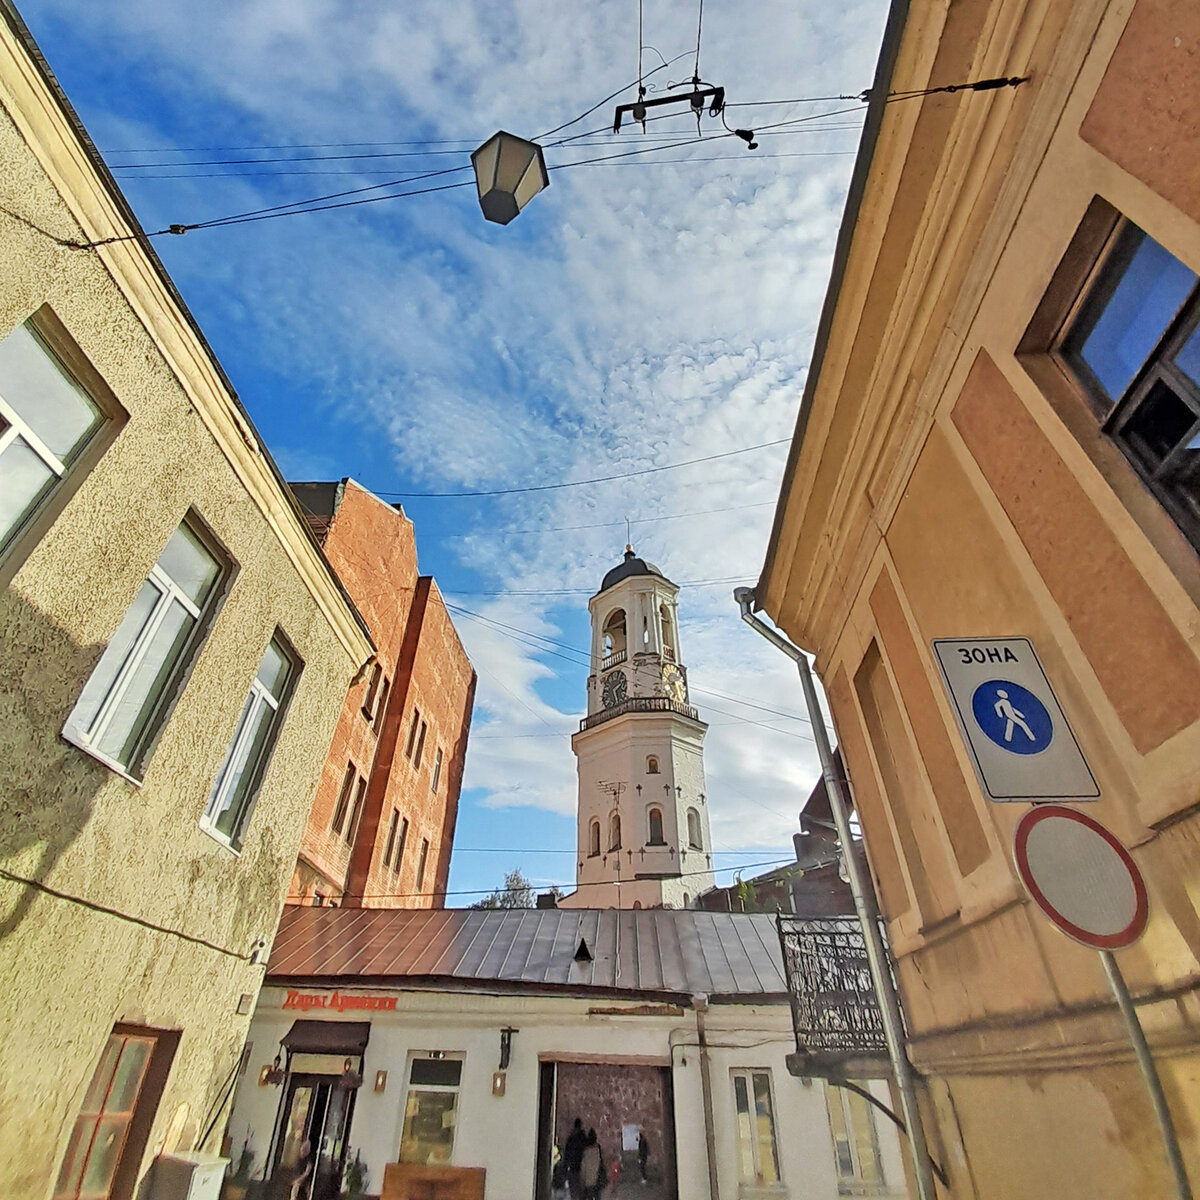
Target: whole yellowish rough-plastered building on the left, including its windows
<point x="175" y="652"/>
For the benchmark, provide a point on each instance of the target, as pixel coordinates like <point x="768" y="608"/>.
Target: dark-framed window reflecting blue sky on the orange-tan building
<point x="1133" y="344"/>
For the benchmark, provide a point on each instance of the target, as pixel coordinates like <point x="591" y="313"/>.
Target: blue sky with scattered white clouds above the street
<point x="650" y="310"/>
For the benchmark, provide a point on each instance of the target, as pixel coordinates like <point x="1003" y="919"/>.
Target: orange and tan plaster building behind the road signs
<point x="997" y="441"/>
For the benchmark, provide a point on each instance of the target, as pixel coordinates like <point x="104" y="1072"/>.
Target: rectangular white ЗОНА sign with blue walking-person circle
<point x="1021" y="742"/>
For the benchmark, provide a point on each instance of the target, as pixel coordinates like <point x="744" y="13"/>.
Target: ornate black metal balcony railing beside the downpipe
<point x="835" y="1011"/>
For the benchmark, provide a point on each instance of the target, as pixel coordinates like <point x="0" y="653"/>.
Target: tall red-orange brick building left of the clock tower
<point x="383" y="818"/>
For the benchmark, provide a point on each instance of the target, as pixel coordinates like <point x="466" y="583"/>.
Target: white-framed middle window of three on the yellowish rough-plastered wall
<point x="124" y="704"/>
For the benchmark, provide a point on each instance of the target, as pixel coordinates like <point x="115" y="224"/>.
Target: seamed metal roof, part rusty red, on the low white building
<point x="644" y="952"/>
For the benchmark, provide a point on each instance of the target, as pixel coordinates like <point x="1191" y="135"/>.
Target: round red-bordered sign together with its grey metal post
<point x="1090" y="887"/>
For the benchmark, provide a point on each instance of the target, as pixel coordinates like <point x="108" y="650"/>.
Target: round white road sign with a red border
<point x="1081" y="877"/>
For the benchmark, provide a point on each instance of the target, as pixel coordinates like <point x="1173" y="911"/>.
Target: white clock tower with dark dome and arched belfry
<point x="644" y="839"/>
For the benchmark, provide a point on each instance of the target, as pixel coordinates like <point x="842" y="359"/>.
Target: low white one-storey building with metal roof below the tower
<point x="476" y="1039"/>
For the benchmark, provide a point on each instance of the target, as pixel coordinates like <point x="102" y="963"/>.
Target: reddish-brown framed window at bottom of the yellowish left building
<point x="115" y="1120"/>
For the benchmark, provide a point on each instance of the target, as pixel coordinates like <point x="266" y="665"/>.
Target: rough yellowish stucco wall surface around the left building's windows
<point x="68" y="974"/>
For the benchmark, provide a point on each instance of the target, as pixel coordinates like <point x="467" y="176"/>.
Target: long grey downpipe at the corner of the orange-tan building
<point x="865" y="905"/>
